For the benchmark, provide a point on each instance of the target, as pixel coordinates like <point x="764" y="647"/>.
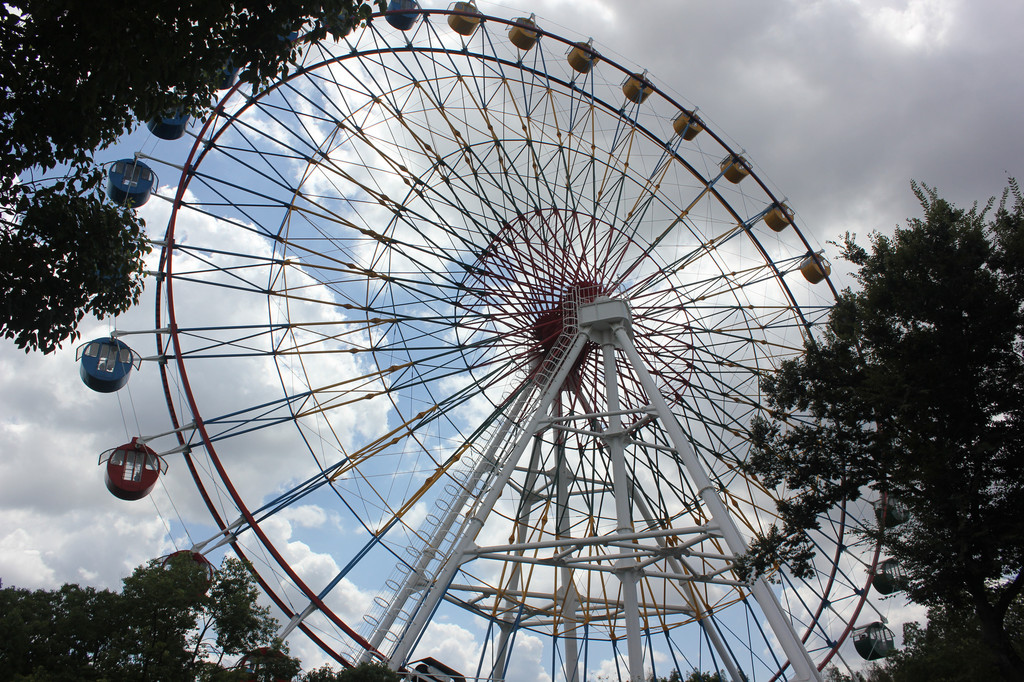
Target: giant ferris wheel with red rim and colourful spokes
<point x="463" y="325"/>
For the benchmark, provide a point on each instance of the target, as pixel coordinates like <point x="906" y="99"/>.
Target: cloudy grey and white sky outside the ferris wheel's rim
<point x="839" y="104"/>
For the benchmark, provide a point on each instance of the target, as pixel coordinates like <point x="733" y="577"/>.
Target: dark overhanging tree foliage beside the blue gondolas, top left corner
<point x="72" y="82"/>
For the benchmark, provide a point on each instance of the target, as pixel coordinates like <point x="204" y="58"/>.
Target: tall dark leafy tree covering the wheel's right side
<point x="916" y="392"/>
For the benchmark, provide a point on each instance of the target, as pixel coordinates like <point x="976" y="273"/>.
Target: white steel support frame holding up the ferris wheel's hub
<point x="606" y="323"/>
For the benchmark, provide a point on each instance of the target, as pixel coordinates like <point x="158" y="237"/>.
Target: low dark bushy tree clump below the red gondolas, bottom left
<point x="169" y="623"/>
